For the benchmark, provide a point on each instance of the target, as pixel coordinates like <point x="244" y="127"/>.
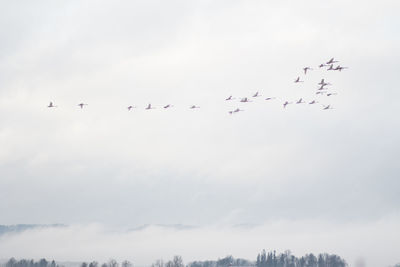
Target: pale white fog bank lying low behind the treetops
<point x="376" y="243"/>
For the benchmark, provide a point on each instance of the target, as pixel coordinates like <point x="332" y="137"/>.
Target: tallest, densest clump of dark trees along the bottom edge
<point x="288" y="260"/>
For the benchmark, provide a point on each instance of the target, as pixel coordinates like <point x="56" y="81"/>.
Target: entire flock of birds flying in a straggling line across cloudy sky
<point x="321" y="90"/>
